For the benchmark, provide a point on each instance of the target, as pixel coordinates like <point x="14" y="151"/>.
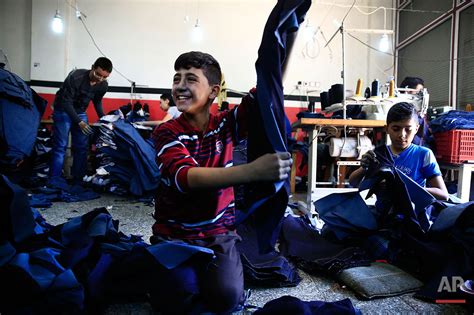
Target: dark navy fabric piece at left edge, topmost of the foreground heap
<point x="16" y="219"/>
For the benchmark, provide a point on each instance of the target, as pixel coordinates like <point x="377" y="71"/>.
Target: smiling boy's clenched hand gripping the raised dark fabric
<point x="272" y="167"/>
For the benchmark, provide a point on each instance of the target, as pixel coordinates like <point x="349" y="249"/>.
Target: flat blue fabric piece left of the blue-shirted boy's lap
<point x="345" y="212"/>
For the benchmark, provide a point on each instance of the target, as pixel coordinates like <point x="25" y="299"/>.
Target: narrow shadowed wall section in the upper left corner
<point x="15" y="35"/>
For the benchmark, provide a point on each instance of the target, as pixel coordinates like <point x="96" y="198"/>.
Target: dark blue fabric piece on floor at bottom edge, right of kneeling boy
<point x="292" y="305"/>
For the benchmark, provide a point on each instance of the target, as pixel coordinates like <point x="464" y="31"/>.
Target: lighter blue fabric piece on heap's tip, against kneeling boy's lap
<point x="171" y="254"/>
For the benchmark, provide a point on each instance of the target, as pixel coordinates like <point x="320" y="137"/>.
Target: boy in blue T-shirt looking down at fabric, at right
<point x="419" y="163"/>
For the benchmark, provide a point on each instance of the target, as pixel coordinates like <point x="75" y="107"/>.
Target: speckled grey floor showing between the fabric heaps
<point x="135" y="218"/>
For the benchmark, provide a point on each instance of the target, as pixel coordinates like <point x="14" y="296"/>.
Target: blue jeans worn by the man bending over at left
<point x="79" y="146"/>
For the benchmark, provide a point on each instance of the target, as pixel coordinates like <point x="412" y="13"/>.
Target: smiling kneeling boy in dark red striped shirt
<point x="195" y="200"/>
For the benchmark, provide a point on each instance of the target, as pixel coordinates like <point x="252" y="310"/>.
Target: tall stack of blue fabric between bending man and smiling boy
<point x="125" y="160"/>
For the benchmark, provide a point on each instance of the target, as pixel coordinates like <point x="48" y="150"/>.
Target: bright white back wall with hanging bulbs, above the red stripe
<point x="144" y="37"/>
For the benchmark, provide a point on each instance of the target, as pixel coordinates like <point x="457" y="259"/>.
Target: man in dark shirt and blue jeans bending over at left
<point x="70" y="105"/>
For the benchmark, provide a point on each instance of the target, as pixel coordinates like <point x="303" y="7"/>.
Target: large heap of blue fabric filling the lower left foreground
<point x="77" y="267"/>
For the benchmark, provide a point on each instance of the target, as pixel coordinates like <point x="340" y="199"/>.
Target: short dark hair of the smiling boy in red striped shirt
<point x="200" y="60"/>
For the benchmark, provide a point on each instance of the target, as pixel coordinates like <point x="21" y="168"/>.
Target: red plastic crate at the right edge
<point x="455" y="146"/>
